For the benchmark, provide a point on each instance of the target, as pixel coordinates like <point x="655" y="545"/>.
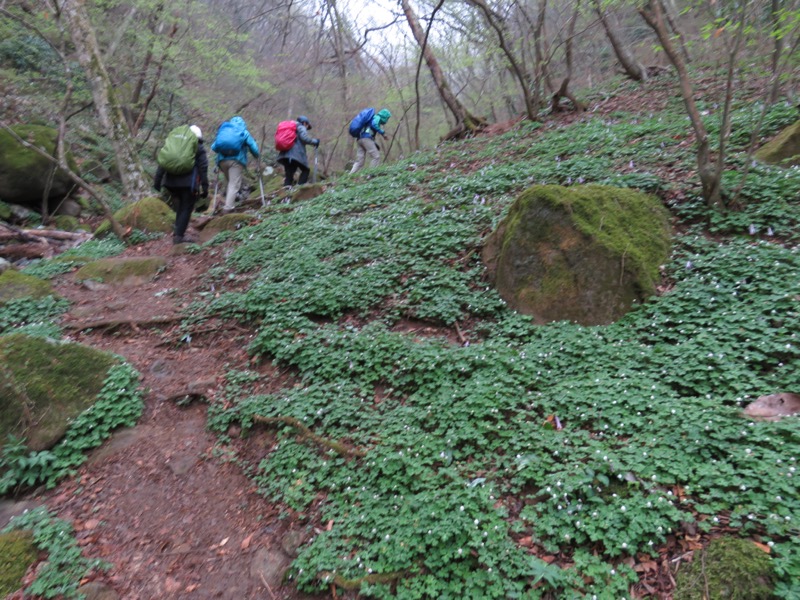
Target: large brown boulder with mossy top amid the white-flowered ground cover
<point x="585" y="254"/>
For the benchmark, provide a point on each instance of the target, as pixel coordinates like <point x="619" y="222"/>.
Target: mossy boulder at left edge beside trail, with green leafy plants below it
<point x="45" y="384"/>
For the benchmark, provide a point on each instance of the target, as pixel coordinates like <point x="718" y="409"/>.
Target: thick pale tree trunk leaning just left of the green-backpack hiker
<point x="109" y="111"/>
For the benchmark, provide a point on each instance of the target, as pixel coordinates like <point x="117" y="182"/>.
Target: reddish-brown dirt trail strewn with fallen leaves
<point x="174" y="521"/>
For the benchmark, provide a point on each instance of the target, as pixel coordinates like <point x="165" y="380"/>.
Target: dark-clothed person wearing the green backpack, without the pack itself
<point x="185" y="188"/>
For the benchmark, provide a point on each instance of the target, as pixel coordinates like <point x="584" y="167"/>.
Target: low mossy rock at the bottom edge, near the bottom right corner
<point x="728" y="569"/>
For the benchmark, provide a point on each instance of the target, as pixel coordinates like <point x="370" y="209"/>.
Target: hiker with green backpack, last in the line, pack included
<point x="183" y="170"/>
